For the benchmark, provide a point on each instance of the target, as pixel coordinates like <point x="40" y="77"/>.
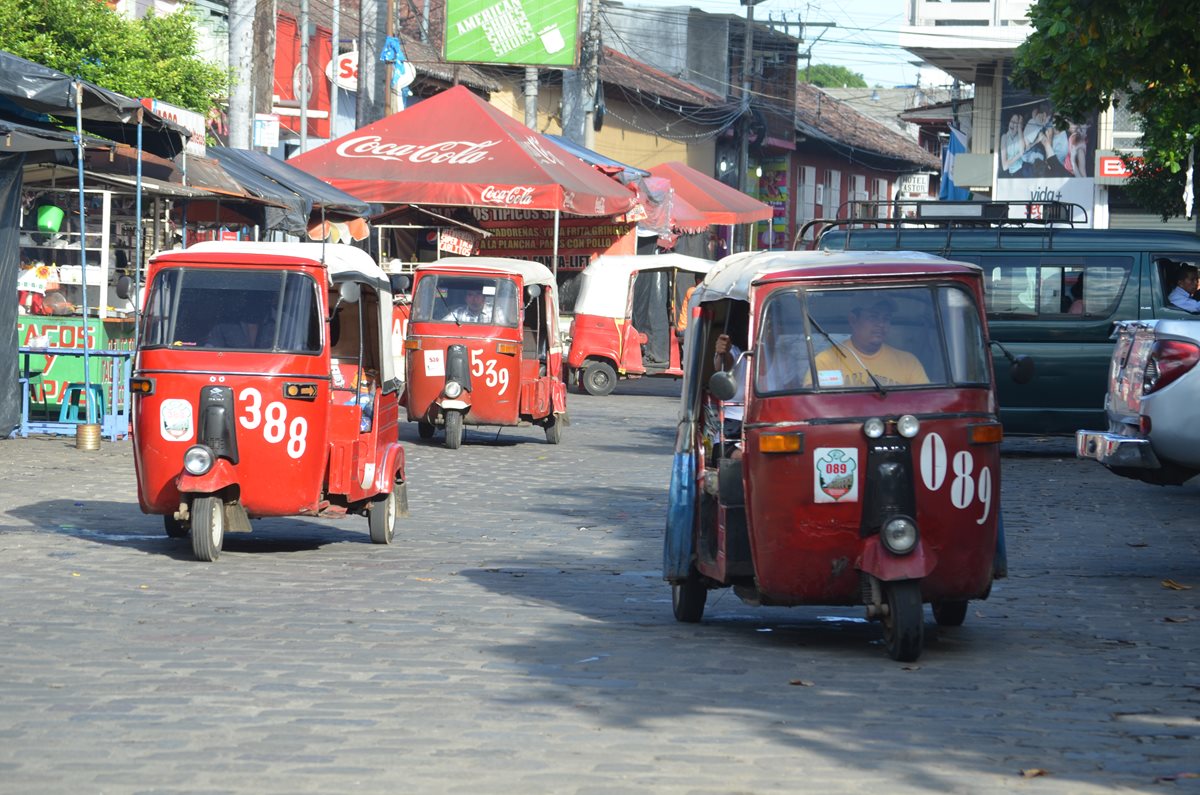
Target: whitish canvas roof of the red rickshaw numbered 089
<point x="735" y="276"/>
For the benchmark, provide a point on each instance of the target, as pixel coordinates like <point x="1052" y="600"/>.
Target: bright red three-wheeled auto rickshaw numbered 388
<point x="263" y="387"/>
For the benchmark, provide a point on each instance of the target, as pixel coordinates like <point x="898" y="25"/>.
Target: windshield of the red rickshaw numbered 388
<point x="233" y="310"/>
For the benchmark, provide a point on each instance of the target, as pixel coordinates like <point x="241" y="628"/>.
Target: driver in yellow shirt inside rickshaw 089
<point x="847" y="364"/>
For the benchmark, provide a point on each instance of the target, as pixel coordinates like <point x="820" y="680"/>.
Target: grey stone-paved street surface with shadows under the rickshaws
<point x="518" y="638"/>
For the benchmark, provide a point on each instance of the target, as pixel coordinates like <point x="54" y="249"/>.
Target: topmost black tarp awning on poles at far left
<point x="39" y="95"/>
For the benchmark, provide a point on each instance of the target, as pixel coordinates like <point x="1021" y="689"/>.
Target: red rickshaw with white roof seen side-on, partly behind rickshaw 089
<point x="629" y="319"/>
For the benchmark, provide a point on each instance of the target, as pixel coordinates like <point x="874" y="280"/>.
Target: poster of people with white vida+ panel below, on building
<point x="1041" y="162"/>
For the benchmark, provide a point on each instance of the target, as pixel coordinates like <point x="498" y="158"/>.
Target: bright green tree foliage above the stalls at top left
<point x="154" y="57"/>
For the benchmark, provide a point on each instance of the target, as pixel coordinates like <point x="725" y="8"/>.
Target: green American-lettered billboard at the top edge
<point x="530" y="33"/>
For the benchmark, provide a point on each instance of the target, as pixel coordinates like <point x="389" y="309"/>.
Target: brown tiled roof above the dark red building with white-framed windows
<point x="820" y="117"/>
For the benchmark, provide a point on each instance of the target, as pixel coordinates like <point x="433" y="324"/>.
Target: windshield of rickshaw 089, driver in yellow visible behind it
<point x="832" y="340"/>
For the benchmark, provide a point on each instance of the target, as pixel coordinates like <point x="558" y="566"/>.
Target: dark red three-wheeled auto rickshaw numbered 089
<point x="863" y="467"/>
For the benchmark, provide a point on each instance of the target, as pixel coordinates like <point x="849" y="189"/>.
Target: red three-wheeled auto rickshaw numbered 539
<point x="483" y="348"/>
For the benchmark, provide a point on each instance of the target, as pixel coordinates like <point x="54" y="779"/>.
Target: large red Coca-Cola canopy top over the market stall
<point x="455" y="150"/>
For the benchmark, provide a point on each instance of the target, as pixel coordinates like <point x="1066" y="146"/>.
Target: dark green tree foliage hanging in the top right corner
<point x="1087" y="55"/>
